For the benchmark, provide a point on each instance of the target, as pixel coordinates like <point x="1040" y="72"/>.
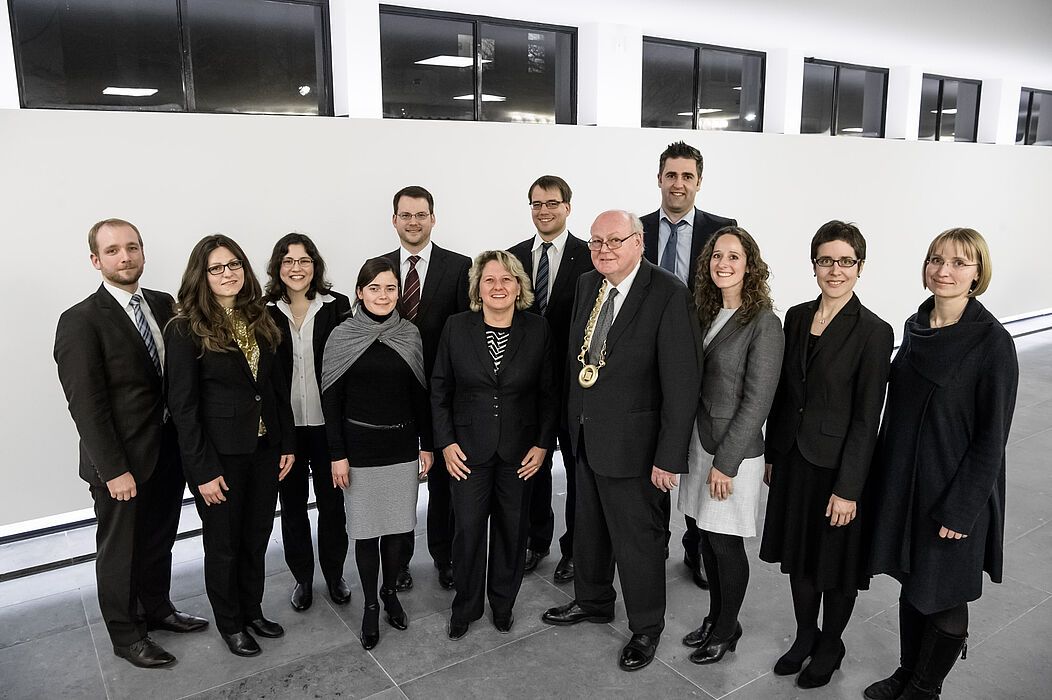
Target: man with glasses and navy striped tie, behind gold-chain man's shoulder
<point x="554" y="259"/>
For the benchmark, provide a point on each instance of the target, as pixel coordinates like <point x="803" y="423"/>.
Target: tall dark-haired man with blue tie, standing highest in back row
<point x="674" y="237"/>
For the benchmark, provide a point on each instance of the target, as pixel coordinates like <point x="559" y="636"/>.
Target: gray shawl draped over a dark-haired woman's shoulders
<point x="350" y="341"/>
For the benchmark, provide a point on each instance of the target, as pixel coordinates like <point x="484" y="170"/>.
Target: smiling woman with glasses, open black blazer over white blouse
<point x="306" y="310"/>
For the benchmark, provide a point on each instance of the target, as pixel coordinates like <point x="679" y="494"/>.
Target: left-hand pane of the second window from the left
<point x="428" y="68"/>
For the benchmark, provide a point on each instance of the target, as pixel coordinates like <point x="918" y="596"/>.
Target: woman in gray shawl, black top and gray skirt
<point x="375" y="398"/>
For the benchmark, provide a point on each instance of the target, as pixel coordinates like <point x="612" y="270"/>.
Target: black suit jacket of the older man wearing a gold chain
<point x="641" y="412"/>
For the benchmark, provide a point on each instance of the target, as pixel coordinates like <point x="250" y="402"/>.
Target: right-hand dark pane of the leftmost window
<point x="257" y="56"/>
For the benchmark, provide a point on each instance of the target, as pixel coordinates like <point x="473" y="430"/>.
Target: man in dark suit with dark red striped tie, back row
<point x="434" y="288"/>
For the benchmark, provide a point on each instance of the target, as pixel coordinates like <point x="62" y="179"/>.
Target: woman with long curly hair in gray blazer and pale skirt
<point x="742" y="357"/>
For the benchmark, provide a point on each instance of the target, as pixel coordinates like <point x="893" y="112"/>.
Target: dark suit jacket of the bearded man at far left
<point x="115" y="395"/>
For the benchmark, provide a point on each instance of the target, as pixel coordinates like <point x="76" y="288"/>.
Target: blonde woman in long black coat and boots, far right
<point x="939" y="498"/>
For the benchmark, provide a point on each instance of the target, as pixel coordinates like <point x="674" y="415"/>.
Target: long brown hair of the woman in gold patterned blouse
<point x="204" y="313"/>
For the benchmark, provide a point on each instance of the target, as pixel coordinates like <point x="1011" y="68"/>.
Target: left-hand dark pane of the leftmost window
<point x="107" y="53"/>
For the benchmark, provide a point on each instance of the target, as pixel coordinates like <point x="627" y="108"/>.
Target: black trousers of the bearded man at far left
<point x="134" y="542"/>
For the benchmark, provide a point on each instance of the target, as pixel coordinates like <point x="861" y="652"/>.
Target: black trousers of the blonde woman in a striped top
<point x="494" y="495"/>
